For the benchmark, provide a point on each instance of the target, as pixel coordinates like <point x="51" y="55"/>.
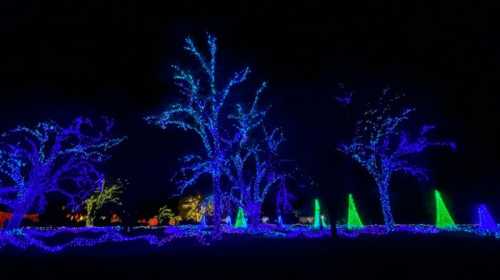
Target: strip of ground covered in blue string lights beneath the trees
<point x="54" y="240"/>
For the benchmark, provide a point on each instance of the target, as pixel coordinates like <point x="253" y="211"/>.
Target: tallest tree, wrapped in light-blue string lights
<point x="203" y="112"/>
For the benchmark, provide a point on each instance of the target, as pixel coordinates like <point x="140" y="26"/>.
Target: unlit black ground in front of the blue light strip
<point x="390" y="257"/>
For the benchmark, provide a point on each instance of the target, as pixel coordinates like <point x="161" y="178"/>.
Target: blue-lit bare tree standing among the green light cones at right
<point x="383" y="148"/>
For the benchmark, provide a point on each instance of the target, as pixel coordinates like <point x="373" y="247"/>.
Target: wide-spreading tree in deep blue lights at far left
<point x="49" y="158"/>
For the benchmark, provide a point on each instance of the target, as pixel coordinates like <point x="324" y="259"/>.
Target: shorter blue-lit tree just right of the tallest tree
<point x="254" y="165"/>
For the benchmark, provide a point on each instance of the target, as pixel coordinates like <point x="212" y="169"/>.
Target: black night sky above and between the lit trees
<point x="62" y="59"/>
